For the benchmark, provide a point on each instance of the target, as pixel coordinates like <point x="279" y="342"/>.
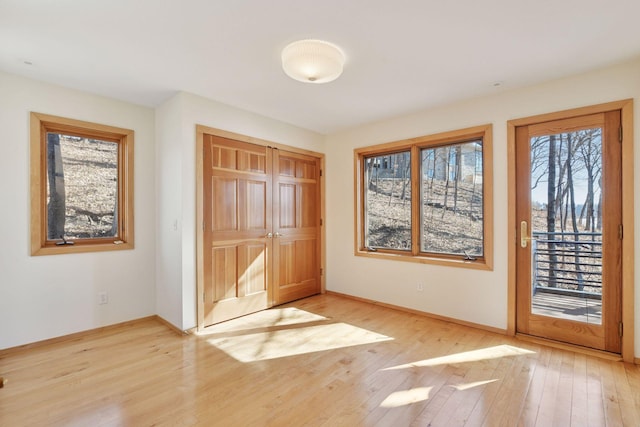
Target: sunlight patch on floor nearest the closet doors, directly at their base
<point x="264" y="319"/>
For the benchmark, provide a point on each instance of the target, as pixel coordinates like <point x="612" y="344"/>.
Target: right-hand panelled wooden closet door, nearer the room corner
<point x="296" y="226"/>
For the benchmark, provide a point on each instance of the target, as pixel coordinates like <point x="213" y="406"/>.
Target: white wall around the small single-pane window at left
<point x="48" y="296"/>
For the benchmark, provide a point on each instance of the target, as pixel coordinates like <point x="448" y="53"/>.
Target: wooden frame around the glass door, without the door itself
<point x="626" y="109"/>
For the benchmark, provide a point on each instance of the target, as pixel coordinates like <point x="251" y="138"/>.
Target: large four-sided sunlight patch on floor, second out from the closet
<point x="290" y="342"/>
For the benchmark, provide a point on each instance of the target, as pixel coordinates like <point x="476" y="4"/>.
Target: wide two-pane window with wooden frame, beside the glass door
<point x="427" y="199"/>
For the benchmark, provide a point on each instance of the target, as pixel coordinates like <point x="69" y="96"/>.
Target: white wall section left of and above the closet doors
<point x="176" y="122"/>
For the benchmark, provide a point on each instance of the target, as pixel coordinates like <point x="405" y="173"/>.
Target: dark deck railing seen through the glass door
<point x="567" y="263"/>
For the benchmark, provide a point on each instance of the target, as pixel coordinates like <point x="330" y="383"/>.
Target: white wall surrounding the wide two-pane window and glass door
<point x="470" y="295"/>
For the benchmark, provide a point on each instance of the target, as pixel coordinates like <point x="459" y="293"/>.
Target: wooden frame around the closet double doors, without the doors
<point x="200" y="132"/>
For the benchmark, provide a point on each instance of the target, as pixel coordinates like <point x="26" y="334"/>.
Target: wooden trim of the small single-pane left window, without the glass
<point x="40" y="124"/>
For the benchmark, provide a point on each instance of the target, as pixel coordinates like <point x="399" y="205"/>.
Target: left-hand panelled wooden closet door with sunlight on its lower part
<point x="237" y="211"/>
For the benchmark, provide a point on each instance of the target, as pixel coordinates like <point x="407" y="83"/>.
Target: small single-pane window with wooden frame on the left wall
<point x="81" y="188"/>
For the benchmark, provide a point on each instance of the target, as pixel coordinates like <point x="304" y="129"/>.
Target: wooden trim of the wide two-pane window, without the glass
<point x="416" y="144"/>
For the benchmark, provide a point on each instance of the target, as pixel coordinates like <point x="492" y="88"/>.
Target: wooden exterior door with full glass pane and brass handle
<point x="568" y="218"/>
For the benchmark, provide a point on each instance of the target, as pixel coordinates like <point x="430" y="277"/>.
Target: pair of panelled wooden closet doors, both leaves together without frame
<point x="261" y="227"/>
